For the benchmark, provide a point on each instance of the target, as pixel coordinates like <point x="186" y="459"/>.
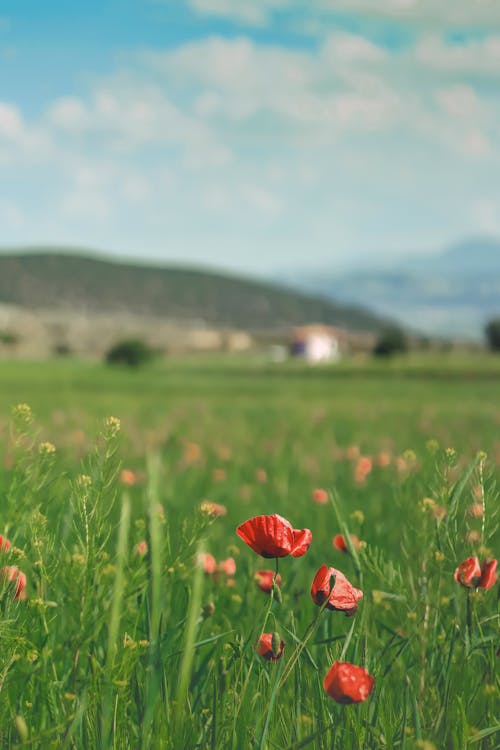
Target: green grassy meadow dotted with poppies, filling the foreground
<point x="139" y="623"/>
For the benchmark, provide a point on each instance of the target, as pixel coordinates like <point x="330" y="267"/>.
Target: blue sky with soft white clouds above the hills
<point x="249" y="134"/>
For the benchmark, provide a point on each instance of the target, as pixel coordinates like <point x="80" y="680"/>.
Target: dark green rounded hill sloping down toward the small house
<point x="70" y="281"/>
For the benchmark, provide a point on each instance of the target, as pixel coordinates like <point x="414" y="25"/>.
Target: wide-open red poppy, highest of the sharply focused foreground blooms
<point x="273" y="536"/>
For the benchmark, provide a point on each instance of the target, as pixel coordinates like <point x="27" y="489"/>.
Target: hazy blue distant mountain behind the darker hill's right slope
<point x="451" y="293"/>
